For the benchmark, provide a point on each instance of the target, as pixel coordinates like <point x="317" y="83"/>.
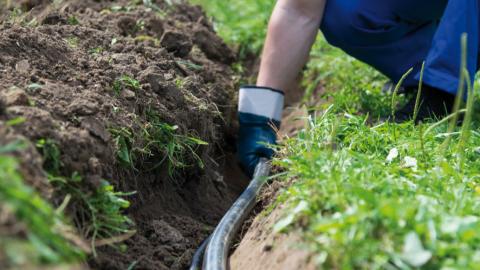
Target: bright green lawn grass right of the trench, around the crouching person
<point x="372" y="195"/>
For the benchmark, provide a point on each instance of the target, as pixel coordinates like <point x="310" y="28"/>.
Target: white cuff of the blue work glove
<point x="261" y="101"/>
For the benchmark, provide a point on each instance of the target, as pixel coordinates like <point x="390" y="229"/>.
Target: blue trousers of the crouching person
<point x="396" y="35"/>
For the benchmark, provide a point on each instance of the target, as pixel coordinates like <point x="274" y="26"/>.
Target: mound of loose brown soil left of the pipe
<point x="78" y="72"/>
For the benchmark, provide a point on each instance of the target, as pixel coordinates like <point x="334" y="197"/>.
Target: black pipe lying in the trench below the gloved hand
<point x="216" y="247"/>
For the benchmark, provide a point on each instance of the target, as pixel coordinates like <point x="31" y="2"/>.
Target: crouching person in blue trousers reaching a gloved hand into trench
<point x="390" y="35"/>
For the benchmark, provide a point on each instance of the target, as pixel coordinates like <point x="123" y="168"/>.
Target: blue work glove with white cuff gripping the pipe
<point x="259" y="114"/>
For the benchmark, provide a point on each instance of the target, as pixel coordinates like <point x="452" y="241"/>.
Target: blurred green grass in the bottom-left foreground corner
<point x="45" y="241"/>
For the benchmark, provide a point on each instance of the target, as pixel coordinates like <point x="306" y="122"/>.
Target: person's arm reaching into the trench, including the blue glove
<point x="291" y="33"/>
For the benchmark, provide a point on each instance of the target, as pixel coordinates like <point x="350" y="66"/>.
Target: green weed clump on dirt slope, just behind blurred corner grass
<point x="98" y="214"/>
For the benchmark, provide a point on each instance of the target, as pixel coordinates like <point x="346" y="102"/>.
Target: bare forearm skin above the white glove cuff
<point x="291" y="32"/>
